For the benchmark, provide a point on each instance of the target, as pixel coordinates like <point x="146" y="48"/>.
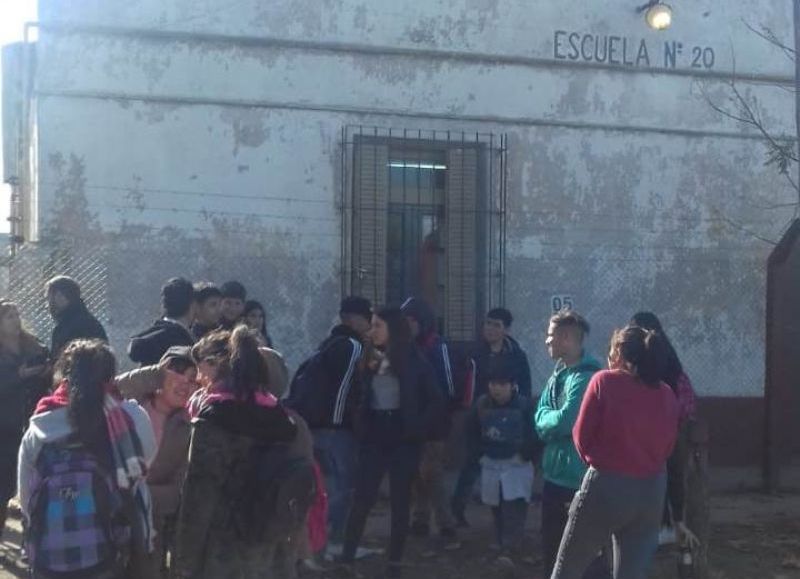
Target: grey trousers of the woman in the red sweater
<point x="612" y="505"/>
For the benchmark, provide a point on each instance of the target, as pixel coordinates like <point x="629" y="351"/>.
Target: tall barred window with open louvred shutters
<point x="424" y="215"/>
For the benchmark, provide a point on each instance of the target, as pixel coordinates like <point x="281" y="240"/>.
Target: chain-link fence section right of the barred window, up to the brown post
<point x="718" y="335"/>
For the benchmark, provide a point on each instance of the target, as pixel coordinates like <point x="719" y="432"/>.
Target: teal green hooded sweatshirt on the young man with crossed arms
<point x="555" y="418"/>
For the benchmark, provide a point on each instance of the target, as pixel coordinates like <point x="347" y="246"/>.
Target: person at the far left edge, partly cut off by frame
<point x="24" y="377"/>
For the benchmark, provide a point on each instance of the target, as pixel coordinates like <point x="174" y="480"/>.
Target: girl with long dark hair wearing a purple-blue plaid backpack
<point x="83" y="463"/>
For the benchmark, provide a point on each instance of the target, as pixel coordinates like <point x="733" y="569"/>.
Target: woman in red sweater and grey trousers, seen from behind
<point x="625" y="432"/>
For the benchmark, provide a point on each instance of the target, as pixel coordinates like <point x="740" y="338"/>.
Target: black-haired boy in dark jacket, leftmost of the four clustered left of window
<point x="177" y="301"/>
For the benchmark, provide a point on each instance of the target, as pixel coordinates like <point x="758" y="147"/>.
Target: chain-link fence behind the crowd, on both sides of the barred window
<point x="121" y="280"/>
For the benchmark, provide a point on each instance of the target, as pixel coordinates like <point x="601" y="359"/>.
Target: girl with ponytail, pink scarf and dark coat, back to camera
<point x="234" y="417"/>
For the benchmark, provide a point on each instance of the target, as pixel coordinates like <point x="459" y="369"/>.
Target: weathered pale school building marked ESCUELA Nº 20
<point x="475" y="152"/>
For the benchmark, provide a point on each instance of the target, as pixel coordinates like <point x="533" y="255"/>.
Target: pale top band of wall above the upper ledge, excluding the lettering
<point x="496" y="27"/>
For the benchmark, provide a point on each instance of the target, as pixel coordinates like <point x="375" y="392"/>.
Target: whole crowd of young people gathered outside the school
<point x="207" y="461"/>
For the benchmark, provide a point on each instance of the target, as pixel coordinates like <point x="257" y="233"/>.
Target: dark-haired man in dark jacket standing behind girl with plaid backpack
<point x="72" y="317"/>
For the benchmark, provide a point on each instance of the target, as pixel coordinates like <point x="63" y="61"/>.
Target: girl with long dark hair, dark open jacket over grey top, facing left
<point x="400" y="407"/>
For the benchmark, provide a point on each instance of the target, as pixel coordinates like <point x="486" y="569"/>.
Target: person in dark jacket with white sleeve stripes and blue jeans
<point x="326" y="392"/>
